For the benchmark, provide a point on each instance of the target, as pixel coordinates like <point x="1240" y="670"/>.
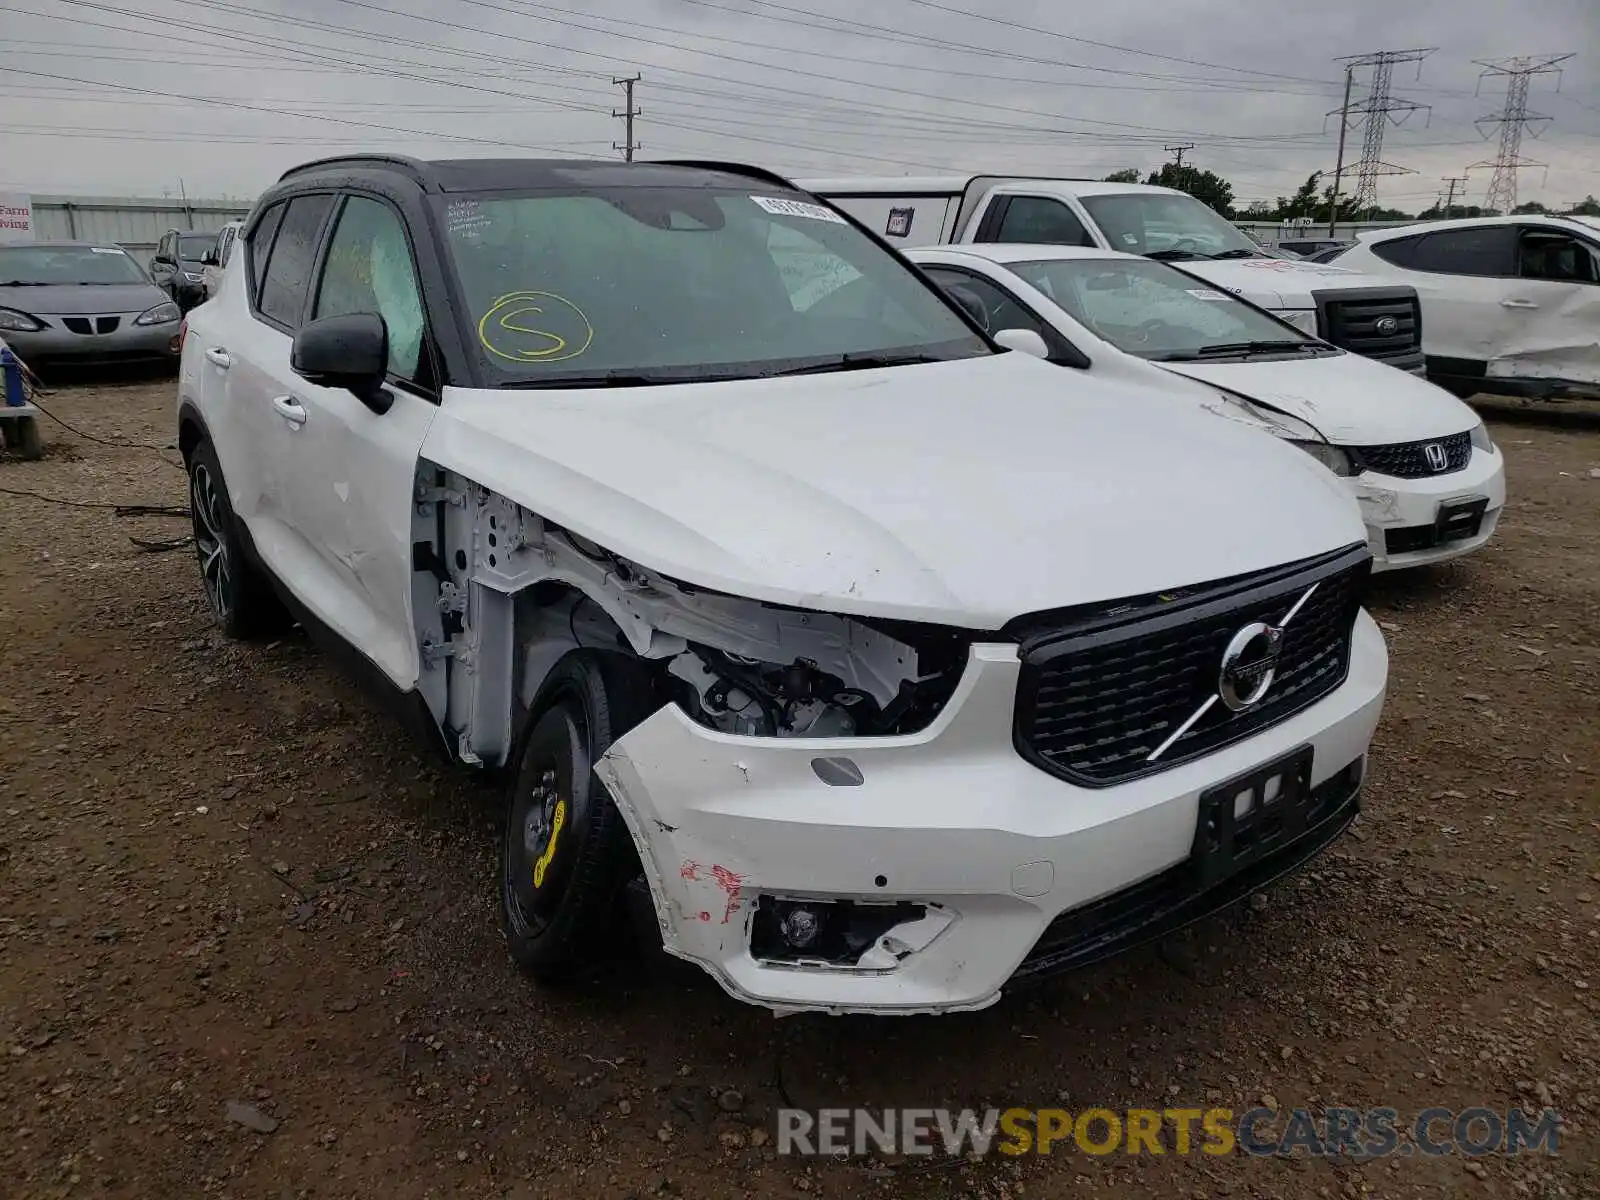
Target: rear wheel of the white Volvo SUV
<point x="242" y="602"/>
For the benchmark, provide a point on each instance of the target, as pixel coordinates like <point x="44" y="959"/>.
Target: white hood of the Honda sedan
<point x="1348" y="399"/>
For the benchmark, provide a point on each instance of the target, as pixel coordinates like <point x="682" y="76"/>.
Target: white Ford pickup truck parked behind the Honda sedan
<point x="1364" y="314"/>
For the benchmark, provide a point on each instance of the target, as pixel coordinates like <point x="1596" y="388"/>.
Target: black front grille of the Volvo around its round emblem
<point x="1098" y="697"/>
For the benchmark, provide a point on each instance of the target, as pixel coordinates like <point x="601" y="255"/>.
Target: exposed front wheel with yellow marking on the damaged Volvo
<point x="567" y="855"/>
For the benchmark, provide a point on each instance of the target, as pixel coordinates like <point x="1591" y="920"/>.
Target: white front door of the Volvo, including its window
<point x="351" y="474"/>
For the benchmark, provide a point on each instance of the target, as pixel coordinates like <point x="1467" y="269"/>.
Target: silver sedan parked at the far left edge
<point x="84" y="303"/>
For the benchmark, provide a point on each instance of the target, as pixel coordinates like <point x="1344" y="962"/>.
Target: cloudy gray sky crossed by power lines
<point x="218" y="97"/>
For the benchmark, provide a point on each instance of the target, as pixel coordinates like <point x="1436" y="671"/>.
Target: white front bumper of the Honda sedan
<point x="1399" y="513"/>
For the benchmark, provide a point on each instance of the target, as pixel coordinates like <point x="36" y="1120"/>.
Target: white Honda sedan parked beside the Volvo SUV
<point x="1430" y="479"/>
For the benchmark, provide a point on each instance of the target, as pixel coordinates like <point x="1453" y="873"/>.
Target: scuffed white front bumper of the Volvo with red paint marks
<point x="951" y="818"/>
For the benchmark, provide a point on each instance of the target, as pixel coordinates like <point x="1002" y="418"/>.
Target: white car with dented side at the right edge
<point x="1510" y="305"/>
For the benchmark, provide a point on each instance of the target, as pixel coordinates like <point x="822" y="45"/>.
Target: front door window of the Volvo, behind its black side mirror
<point x="370" y="270"/>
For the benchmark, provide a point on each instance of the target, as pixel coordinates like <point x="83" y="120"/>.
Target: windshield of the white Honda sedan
<point x="1151" y="310"/>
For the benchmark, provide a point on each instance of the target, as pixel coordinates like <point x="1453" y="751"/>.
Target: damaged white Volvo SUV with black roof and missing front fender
<point x="886" y="665"/>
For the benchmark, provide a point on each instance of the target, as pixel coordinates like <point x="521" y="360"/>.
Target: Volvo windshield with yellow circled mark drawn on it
<point x="678" y="284"/>
